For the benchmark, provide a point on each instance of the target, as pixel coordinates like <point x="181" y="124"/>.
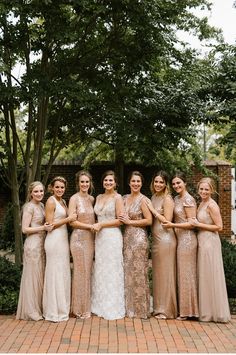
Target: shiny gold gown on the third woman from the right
<point x="163" y="265"/>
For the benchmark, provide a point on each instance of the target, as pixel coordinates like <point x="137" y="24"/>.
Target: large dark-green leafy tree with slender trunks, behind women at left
<point x="89" y="68"/>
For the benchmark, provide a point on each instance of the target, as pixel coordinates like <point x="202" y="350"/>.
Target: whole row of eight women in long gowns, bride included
<point x="109" y="247"/>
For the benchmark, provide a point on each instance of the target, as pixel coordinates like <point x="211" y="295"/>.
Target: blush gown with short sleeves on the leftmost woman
<point x="31" y="288"/>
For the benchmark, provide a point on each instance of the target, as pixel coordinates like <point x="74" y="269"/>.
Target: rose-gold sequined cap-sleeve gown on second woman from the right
<point x="186" y="259"/>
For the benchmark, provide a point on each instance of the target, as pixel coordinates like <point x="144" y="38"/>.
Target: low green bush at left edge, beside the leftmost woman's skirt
<point x="10" y="275"/>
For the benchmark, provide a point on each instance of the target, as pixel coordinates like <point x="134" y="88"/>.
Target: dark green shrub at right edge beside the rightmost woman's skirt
<point x="229" y="260"/>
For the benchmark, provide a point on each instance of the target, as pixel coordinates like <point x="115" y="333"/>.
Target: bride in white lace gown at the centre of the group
<point x="108" y="274"/>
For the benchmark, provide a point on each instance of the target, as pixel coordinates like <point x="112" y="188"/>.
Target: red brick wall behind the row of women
<point x="221" y="169"/>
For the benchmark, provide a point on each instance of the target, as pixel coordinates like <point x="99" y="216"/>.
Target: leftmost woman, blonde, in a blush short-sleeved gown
<point x="34" y="226"/>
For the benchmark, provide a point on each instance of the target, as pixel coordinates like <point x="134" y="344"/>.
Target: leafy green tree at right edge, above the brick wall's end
<point x="222" y="90"/>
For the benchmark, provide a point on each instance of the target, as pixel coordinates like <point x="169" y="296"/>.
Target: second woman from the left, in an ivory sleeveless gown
<point x="57" y="283"/>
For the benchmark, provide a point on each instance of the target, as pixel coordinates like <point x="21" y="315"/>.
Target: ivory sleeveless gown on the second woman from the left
<point x="57" y="282"/>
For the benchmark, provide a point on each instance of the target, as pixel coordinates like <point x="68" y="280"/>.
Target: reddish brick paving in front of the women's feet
<point x="97" y="335"/>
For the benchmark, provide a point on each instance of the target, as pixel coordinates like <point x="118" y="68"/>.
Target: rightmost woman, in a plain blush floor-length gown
<point x="213" y="299"/>
